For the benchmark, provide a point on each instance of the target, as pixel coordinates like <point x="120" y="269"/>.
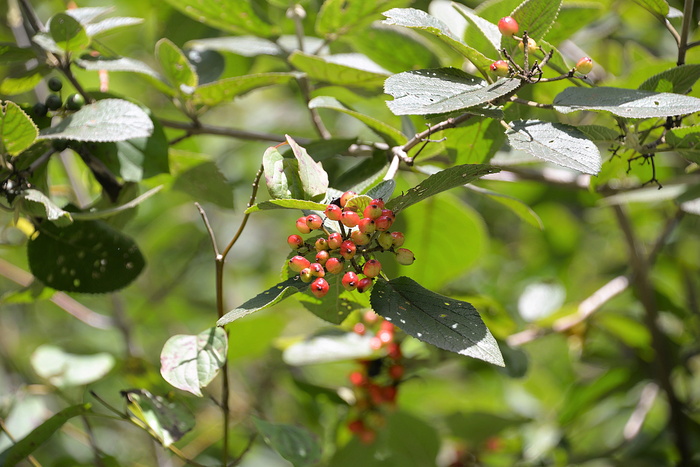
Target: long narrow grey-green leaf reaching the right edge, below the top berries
<point x="628" y="103"/>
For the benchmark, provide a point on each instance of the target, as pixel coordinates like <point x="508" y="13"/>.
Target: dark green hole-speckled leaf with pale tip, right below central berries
<point x="446" y="323"/>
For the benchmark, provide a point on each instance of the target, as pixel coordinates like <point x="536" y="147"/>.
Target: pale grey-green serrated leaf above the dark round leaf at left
<point x="105" y="120"/>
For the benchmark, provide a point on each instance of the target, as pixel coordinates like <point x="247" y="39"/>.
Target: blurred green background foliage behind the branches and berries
<point x="586" y="396"/>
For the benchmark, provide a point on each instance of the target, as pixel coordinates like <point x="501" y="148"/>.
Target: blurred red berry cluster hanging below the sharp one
<point x="376" y="383"/>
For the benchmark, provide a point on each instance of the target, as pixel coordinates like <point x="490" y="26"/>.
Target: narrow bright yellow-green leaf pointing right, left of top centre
<point x="227" y="89"/>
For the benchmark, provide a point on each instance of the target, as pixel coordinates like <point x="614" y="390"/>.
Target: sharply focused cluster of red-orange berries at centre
<point x="353" y="230"/>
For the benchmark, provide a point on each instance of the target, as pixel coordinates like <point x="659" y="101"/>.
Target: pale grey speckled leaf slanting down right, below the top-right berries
<point x="558" y="143"/>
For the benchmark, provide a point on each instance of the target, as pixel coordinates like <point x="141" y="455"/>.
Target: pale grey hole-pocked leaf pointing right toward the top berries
<point x="442" y="90"/>
